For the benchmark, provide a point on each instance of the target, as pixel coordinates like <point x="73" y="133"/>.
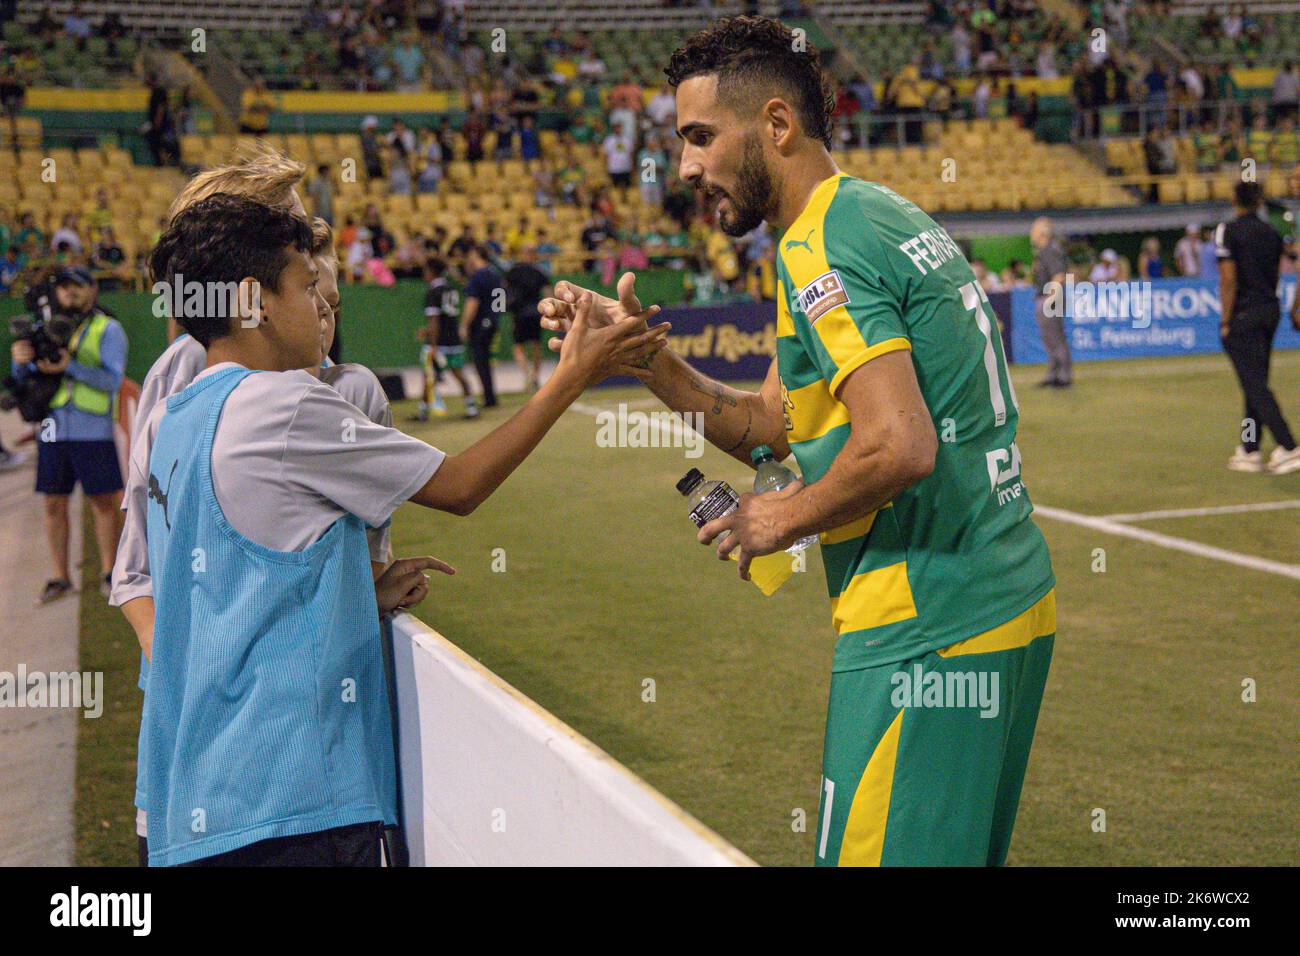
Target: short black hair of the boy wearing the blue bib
<point x="222" y="240"/>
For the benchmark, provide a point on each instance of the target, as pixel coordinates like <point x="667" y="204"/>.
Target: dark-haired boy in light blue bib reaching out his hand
<point x="266" y="732"/>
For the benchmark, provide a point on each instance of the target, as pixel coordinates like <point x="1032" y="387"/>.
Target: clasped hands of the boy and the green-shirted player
<point x="603" y="338"/>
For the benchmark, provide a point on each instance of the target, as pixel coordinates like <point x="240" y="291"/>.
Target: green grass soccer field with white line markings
<point x="605" y="589"/>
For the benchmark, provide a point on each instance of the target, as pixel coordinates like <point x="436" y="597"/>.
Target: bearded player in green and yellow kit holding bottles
<point x="891" y="390"/>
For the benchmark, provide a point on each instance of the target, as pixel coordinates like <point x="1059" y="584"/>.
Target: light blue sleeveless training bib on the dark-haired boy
<point x="266" y="708"/>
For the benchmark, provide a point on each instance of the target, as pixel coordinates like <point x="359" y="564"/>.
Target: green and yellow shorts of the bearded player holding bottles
<point x="925" y="759"/>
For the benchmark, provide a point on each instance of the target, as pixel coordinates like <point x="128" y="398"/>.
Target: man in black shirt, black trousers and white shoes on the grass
<point x="1250" y="256"/>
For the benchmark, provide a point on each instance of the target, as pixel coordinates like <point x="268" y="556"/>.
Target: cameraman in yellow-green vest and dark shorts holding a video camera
<point x="76" y="442"/>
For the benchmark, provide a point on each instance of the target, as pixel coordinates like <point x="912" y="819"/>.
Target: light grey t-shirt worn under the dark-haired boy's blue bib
<point x="291" y="457"/>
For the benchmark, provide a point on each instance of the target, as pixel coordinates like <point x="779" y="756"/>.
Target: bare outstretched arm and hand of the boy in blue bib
<point x="590" y="356"/>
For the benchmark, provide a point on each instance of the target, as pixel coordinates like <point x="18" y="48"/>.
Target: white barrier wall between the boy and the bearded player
<point x="491" y="778"/>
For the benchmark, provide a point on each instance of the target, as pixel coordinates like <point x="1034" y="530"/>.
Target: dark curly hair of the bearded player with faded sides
<point x="753" y="59"/>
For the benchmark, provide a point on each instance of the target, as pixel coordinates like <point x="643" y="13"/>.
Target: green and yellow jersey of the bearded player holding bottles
<point x="864" y="272"/>
